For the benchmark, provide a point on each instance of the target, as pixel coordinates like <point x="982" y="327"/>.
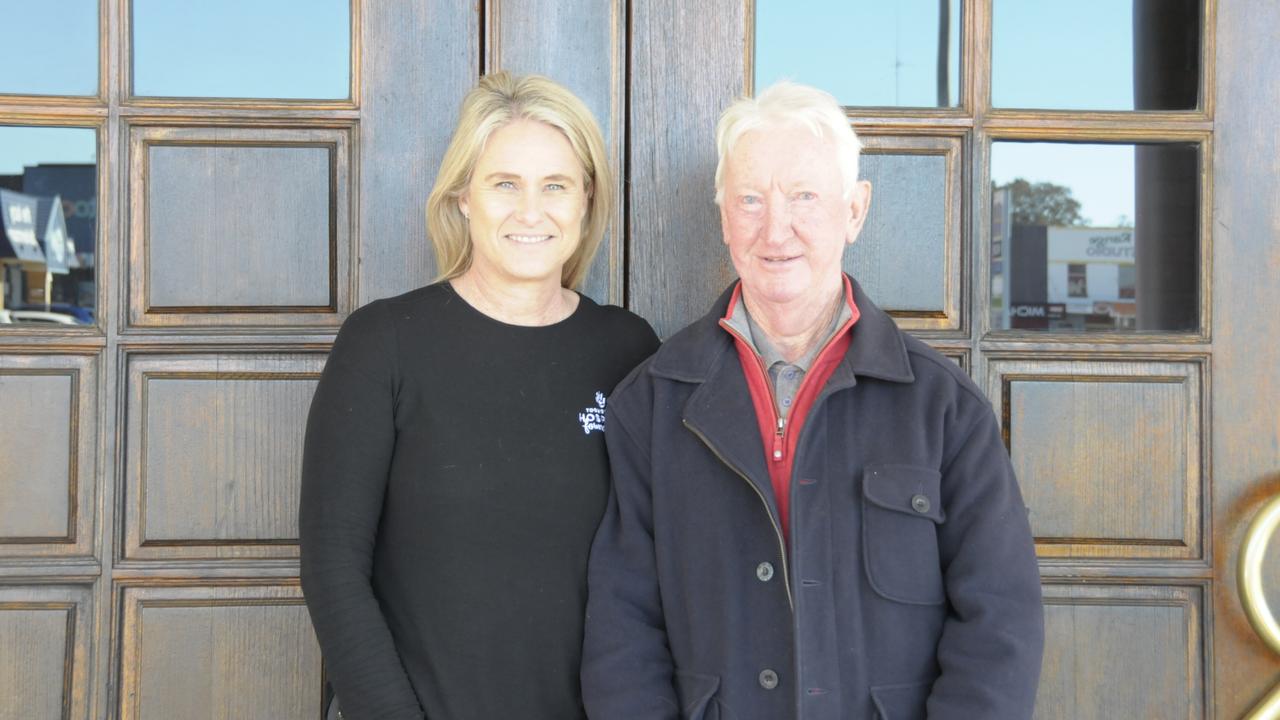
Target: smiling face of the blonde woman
<point x="527" y="202"/>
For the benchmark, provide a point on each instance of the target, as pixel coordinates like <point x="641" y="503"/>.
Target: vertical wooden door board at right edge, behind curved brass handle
<point x="1246" y="293"/>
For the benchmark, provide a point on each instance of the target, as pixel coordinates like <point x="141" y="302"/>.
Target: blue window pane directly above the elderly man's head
<point x="863" y="52"/>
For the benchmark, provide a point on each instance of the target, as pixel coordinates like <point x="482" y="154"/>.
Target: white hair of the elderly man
<point x="789" y="103"/>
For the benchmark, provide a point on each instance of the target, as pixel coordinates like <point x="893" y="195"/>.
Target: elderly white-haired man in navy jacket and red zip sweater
<point x="813" y="514"/>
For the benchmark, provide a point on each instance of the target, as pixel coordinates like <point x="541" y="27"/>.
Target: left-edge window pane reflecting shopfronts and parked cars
<point x="48" y="225"/>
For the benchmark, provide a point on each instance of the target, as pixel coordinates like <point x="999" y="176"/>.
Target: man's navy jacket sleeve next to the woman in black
<point x="627" y="663"/>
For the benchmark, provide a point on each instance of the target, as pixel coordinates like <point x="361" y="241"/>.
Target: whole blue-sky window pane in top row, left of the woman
<point x="287" y="49"/>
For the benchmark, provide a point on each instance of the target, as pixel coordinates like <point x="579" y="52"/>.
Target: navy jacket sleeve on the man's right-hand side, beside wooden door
<point x="993" y="641"/>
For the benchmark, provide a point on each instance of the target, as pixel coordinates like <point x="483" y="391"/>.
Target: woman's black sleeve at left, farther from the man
<point x="346" y="458"/>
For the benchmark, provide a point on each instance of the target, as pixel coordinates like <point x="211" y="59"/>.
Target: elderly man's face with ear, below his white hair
<point x="785" y="218"/>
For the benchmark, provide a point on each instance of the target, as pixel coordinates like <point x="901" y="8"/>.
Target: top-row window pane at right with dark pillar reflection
<point x="1096" y="54"/>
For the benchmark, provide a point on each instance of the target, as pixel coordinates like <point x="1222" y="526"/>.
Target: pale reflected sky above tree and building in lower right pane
<point x="1101" y="177"/>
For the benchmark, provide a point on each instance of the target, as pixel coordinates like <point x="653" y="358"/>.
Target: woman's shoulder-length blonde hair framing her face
<point x="497" y="101"/>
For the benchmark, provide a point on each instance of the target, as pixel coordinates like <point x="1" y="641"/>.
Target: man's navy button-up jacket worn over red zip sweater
<point x="908" y="587"/>
